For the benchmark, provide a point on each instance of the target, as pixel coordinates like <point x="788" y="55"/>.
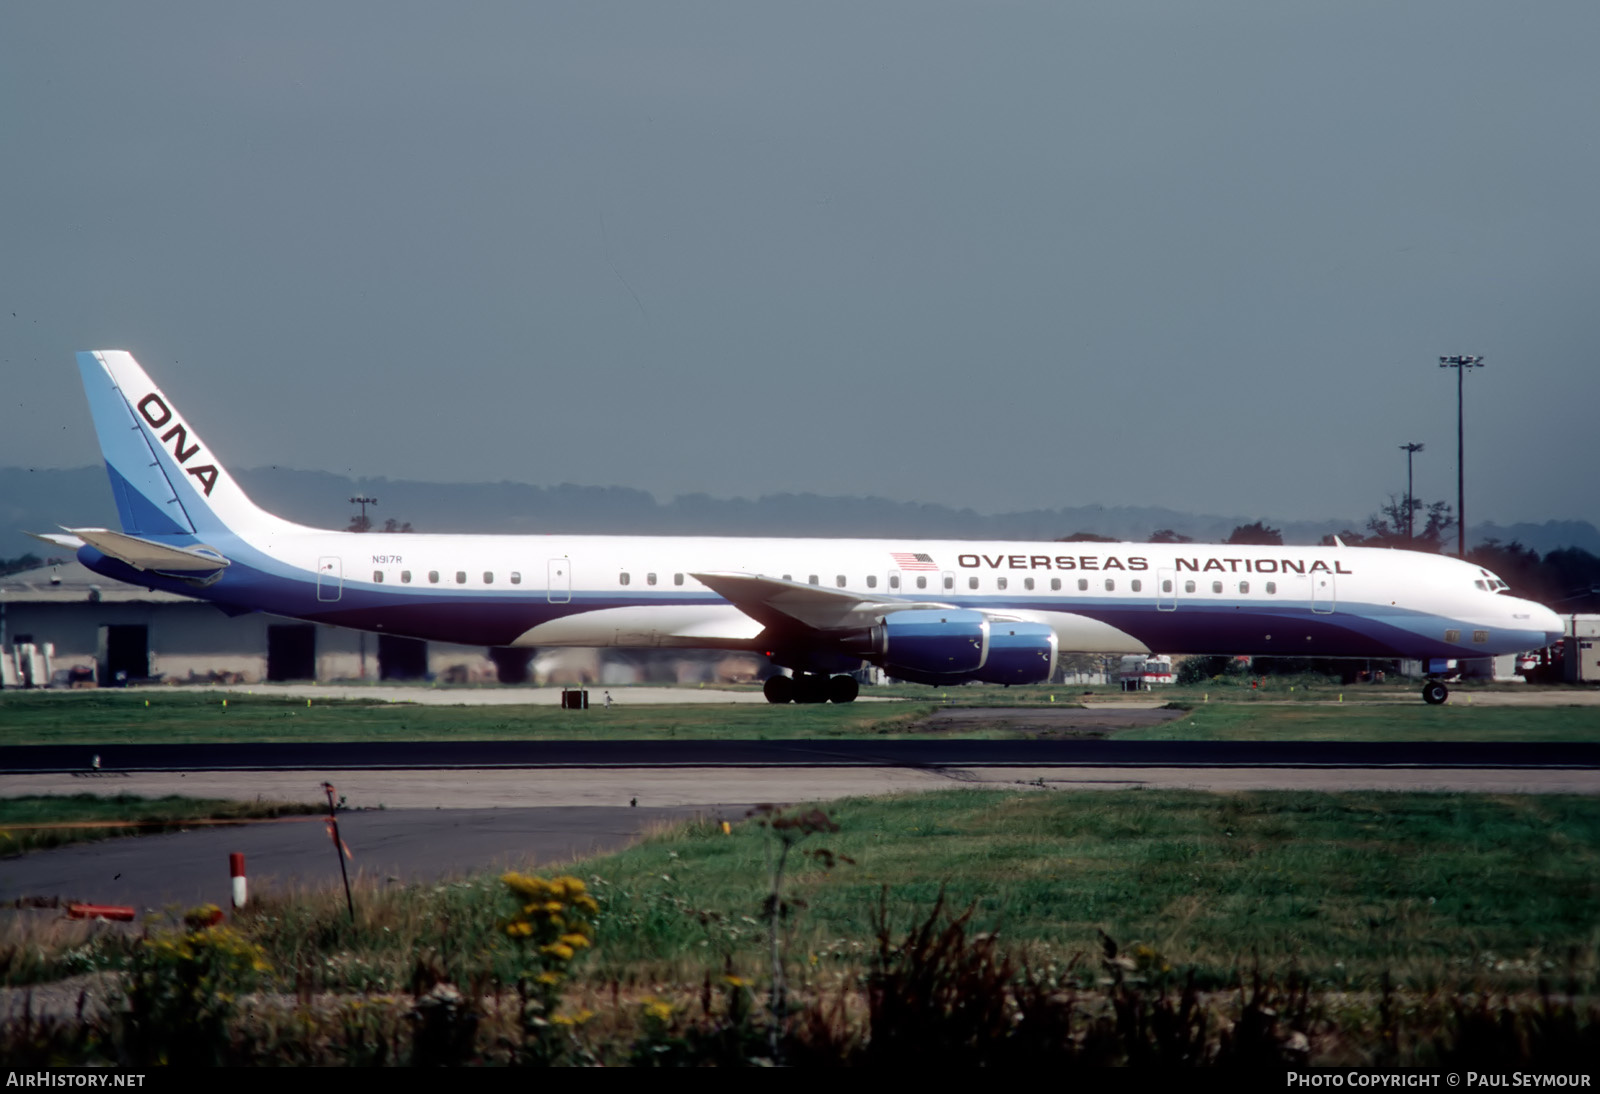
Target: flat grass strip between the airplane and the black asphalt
<point x="122" y="717"/>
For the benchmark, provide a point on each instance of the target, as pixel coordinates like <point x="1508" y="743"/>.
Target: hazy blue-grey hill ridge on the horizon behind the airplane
<point x="44" y="500"/>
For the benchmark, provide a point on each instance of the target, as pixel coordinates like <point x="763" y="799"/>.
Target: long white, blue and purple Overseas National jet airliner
<point x="929" y="612"/>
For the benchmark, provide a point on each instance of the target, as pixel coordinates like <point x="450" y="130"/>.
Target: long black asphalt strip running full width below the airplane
<point x="785" y="754"/>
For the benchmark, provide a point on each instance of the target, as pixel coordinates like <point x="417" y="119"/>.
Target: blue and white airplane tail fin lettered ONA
<point x="166" y="481"/>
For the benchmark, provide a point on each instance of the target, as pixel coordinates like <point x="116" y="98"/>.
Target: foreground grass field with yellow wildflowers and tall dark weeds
<point x="1388" y="928"/>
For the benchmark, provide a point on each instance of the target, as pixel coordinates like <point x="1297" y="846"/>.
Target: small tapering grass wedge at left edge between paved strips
<point x="130" y="813"/>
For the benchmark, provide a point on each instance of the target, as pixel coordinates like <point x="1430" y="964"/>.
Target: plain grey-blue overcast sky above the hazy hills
<point x="996" y="255"/>
